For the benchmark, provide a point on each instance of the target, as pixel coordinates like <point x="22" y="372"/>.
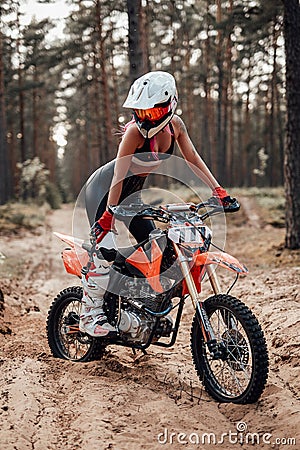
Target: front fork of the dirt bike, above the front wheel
<point x="207" y="331"/>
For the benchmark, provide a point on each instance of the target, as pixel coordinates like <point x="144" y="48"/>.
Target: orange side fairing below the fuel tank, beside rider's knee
<point x="150" y="268"/>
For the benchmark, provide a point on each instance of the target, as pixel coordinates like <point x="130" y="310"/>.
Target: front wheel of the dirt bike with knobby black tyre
<point x="240" y="374"/>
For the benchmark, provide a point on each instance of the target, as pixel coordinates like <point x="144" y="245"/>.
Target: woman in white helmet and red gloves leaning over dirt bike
<point x="148" y="140"/>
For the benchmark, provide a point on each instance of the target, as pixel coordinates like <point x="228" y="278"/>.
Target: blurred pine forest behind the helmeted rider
<point x="61" y="99"/>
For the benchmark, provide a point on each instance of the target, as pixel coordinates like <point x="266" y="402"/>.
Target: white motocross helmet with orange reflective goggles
<point x="153" y="98"/>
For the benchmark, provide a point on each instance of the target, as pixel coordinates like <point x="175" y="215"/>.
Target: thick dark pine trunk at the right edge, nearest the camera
<point x="292" y="145"/>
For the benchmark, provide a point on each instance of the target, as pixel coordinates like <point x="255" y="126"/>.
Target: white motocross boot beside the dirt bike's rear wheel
<point x="93" y="320"/>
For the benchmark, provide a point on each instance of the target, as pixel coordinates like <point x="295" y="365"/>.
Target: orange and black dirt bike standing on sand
<point x="148" y="281"/>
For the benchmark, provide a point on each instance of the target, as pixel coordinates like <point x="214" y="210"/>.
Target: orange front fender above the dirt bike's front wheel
<point x="221" y="259"/>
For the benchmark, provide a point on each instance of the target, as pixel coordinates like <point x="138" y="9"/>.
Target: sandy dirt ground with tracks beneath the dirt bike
<point x="122" y="403"/>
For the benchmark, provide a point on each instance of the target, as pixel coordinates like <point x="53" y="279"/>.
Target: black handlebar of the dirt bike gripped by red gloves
<point x="165" y="213"/>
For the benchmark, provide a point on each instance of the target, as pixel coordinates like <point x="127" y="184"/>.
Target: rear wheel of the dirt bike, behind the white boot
<point x="64" y="338"/>
